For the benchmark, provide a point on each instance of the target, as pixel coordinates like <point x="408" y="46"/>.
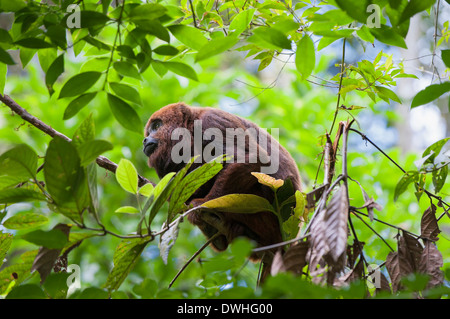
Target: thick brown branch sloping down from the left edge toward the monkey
<point x="23" y="113"/>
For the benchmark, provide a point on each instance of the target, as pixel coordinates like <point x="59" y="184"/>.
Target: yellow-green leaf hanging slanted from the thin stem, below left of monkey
<point x="125" y="257"/>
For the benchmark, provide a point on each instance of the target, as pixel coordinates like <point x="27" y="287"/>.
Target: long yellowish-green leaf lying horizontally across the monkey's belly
<point x="240" y="203"/>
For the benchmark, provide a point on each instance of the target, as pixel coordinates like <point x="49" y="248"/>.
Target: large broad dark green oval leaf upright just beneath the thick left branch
<point x="62" y="170"/>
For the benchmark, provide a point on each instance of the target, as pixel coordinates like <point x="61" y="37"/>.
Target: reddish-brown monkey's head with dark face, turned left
<point x="158" y="140"/>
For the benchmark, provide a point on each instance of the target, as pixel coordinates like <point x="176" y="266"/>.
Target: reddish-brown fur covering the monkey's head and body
<point x="233" y="178"/>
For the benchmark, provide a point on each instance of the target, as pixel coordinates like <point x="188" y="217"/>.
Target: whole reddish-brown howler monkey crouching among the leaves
<point x="162" y="148"/>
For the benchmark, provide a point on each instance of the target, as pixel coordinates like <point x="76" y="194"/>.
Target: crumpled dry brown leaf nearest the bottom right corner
<point x="431" y="263"/>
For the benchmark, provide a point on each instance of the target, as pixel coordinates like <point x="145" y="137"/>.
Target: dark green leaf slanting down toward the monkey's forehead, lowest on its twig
<point x="125" y="114"/>
